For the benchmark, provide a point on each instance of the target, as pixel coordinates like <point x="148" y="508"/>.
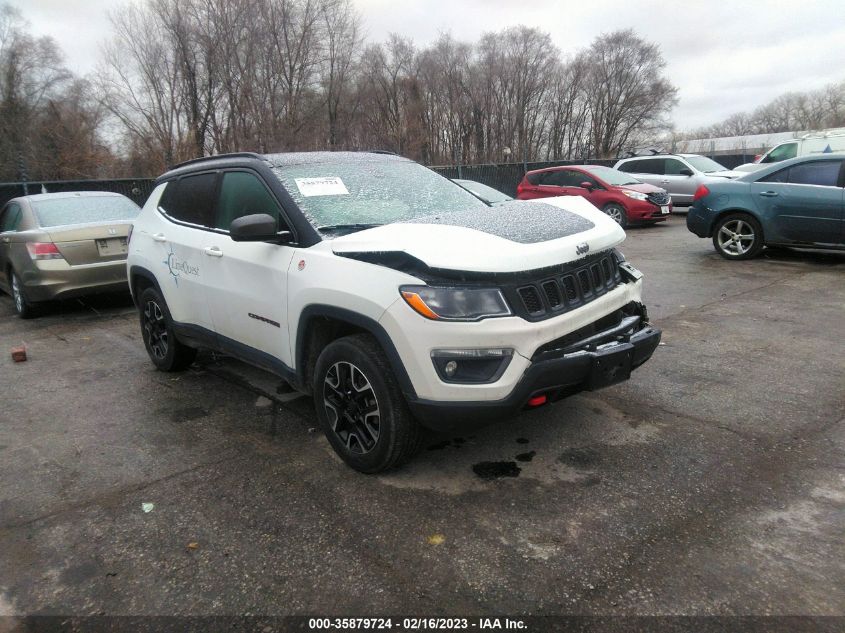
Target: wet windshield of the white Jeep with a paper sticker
<point x="346" y="194"/>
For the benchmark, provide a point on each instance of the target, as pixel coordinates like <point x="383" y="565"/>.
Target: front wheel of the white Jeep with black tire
<point x="361" y="408"/>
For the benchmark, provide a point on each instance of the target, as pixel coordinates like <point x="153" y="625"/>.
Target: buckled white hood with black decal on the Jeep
<point x="512" y="237"/>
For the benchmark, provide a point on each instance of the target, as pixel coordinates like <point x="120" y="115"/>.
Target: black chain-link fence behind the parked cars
<point x="502" y="176"/>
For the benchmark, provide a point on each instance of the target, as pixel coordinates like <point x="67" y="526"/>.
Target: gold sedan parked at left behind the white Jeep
<point x="62" y="245"/>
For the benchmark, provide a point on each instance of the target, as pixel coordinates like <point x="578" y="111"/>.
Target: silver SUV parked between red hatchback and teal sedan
<point x="679" y="174"/>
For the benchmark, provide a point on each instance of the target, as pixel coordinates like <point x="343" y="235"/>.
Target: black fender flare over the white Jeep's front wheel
<point x="366" y="323"/>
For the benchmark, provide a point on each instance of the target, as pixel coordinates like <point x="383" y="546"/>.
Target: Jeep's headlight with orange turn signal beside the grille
<point x="455" y="304"/>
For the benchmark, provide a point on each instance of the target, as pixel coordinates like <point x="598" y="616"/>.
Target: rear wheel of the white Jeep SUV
<point x="165" y="351"/>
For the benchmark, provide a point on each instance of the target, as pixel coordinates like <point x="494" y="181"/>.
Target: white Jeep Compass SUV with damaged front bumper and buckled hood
<point x="396" y="298"/>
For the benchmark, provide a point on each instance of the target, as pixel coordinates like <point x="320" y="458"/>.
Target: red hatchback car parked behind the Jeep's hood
<point x="622" y="197"/>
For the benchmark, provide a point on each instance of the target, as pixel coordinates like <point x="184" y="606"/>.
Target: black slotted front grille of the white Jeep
<point x="566" y="289"/>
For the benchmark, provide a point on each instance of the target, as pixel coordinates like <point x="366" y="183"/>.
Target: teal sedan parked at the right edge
<point x="798" y="202"/>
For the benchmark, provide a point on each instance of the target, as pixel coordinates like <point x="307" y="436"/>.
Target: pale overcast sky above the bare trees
<point x="724" y="57"/>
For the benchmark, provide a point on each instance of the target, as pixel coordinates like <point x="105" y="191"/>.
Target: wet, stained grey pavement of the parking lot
<point x="711" y="483"/>
